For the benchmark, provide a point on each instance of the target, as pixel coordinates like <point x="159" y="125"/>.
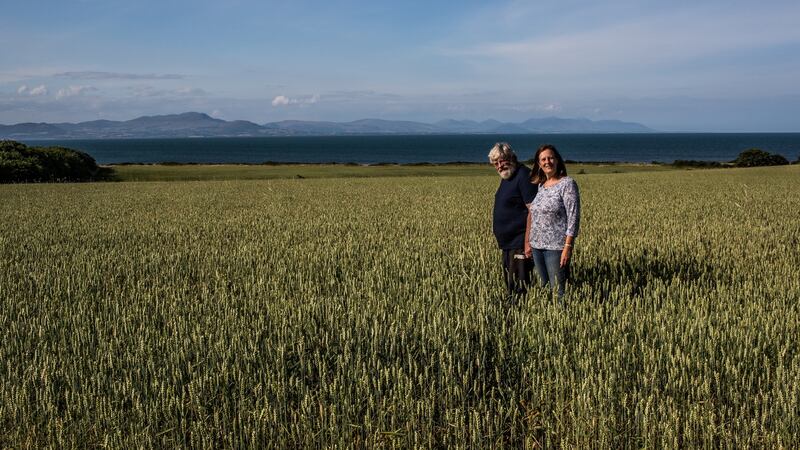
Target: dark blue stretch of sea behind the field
<point x="410" y="149"/>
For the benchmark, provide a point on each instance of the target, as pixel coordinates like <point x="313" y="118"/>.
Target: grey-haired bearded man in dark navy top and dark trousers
<point x="511" y="203"/>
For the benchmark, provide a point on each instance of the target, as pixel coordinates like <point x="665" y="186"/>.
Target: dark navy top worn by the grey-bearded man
<point x="510" y="212"/>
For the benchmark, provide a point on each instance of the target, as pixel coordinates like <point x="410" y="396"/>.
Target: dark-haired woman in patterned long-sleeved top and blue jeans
<point x="553" y="218"/>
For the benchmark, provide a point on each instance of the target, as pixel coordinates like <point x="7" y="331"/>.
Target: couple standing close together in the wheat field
<point x="536" y="218"/>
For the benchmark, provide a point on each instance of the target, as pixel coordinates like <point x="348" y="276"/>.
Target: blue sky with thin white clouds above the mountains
<point x="674" y="66"/>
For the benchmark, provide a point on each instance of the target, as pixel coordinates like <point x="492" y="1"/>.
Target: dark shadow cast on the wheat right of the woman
<point x="606" y="275"/>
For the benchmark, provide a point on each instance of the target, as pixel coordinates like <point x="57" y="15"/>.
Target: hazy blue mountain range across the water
<point x="193" y="124"/>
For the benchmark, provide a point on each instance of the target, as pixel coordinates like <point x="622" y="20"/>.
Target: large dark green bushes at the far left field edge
<point x="20" y="163"/>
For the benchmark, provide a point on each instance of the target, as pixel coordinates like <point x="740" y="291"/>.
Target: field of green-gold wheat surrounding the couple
<point x="362" y="313"/>
